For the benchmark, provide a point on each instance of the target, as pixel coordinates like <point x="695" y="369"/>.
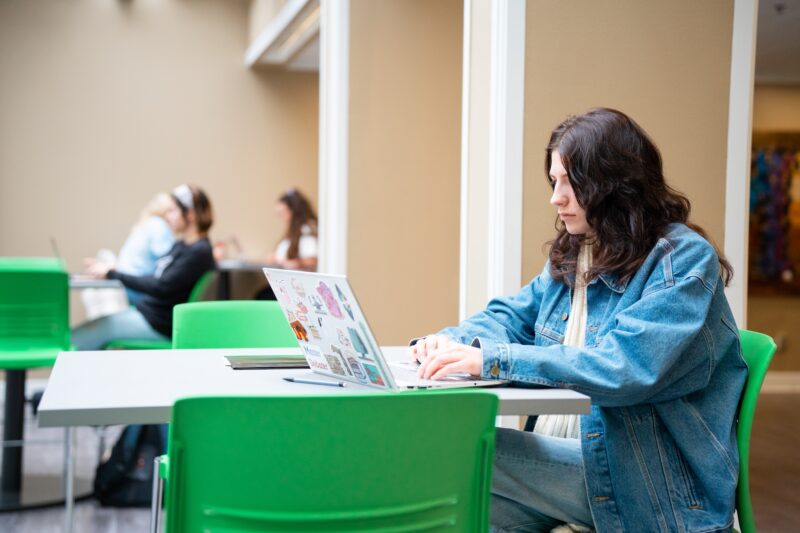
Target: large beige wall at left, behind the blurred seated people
<point x="102" y="104"/>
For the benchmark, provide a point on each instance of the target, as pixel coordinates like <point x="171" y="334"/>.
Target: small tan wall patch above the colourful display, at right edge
<point x="776" y="108"/>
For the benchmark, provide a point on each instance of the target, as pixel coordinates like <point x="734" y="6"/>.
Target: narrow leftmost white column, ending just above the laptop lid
<point x="334" y="72"/>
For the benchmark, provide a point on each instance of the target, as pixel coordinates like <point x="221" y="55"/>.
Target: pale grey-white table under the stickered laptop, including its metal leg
<point x="140" y="387"/>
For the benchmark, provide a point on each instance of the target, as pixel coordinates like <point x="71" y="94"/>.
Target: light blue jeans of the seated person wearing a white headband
<point x="127" y="324"/>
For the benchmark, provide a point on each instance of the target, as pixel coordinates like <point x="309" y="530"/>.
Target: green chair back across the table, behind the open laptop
<point x="231" y="324"/>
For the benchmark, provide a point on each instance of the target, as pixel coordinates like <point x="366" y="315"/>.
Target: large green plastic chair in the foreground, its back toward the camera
<point x="417" y="461"/>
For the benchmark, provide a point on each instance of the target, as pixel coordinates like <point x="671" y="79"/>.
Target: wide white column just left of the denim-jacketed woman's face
<point x="491" y="154"/>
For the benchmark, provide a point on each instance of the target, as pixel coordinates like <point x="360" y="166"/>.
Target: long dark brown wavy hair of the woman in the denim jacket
<point x="617" y="175"/>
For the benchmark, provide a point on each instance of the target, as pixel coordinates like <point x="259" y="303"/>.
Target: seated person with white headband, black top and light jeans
<point x="190" y="217"/>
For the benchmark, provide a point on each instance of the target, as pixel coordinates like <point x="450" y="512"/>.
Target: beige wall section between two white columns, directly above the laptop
<point x="405" y="109"/>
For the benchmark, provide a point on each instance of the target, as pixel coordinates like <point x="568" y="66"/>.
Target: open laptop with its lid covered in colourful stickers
<point x="336" y="339"/>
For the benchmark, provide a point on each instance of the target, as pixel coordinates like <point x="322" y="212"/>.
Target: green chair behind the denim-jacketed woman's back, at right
<point x="757" y="350"/>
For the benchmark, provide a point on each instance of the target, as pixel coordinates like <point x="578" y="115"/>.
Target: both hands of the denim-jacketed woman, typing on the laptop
<point x="439" y="356"/>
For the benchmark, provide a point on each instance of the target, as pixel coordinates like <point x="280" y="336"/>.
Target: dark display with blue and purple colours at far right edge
<point x="775" y="215"/>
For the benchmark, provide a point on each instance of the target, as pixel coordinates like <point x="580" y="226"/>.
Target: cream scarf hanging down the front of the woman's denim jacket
<point x="568" y="426"/>
